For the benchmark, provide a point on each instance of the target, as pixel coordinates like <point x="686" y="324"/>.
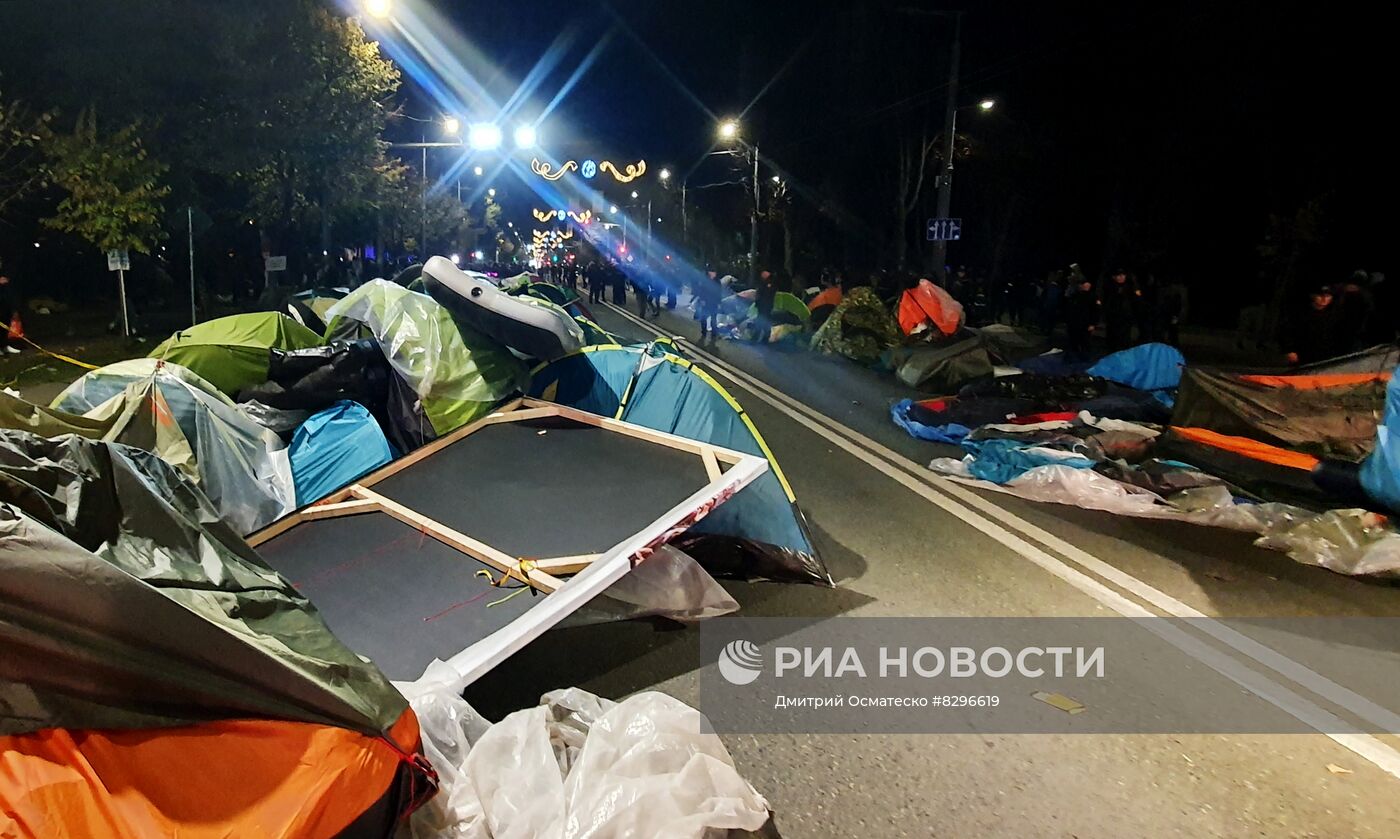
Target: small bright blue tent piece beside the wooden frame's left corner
<point x="334" y="449"/>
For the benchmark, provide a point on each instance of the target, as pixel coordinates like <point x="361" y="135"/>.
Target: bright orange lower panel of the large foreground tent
<point x="229" y="778"/>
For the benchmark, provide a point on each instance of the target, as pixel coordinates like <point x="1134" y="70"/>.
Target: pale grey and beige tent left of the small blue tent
<point x="240" y="466"/>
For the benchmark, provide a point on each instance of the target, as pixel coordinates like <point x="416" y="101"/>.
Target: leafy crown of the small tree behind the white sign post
<point x="114" y="187"/>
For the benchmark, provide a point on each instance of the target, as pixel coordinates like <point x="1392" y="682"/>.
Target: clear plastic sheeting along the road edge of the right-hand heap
<point x="1345" y="541"/>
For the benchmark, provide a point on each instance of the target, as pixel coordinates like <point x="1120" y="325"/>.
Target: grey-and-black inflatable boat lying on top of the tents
<point x="524" y="324"/>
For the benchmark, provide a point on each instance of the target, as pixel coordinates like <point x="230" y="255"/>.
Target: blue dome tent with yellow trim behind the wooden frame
<point x="761" y="530"/>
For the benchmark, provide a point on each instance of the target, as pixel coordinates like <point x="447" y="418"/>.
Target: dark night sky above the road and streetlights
<point x="1160" y="137"/>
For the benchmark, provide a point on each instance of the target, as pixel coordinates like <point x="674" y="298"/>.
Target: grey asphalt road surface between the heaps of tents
<point x="904" y="543"/>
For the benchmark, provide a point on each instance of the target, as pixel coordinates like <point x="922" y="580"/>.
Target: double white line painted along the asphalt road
<point x="961" y="505"/>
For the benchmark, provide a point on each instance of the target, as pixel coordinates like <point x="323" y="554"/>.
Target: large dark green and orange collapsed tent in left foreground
<point x="162" y="680"/>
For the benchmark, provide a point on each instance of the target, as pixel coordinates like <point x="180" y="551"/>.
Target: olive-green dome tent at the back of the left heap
<point x="232" y="354"/>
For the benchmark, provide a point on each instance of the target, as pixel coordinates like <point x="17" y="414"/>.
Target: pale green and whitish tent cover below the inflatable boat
<point x="456" y="373"/>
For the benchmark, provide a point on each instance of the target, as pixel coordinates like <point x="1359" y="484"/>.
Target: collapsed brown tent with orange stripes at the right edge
<point x="1328" y="414"/>
